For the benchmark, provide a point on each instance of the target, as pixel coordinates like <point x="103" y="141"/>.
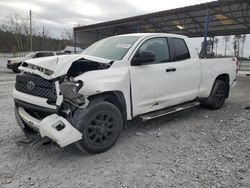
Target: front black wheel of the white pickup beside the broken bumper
<point x="100" y="124"/>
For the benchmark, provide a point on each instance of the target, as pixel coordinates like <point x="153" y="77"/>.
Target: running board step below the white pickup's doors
<point x="170" y="110"/>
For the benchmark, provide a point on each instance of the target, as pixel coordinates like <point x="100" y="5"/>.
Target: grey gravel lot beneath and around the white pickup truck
<point x="195" y="148"/>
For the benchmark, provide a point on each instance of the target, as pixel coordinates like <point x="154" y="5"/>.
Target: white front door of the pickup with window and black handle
<point x="151" y="82"/>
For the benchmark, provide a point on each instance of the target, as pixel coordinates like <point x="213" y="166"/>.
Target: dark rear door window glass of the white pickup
<point x="181" y="49"/>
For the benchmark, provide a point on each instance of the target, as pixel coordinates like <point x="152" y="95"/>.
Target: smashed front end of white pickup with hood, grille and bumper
<point x="47" y="95"/>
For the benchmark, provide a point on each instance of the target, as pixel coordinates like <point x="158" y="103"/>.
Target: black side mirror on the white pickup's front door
<point x="143" y="57"/>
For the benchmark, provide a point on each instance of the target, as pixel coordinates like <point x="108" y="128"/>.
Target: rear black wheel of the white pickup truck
<point x="217" y="97"/>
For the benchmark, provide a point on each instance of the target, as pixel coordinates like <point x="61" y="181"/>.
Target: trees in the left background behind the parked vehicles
<point x="15" y="37"/>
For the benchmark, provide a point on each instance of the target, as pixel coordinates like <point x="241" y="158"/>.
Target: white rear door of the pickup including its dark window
<point x="187" y="76"/>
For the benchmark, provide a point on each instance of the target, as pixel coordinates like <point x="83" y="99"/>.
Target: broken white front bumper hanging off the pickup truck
<point x="53" y="126"/>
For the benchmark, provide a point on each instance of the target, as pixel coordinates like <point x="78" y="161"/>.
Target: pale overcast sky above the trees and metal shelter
<point x="55" y="15"/>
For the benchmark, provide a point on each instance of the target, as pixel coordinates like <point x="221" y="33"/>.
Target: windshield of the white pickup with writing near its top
<point x="113" y="48"/>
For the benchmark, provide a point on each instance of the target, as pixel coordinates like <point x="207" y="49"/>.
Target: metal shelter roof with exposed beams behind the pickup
<point x="227" y="17"/>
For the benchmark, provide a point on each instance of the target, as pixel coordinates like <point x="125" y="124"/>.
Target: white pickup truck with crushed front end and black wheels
<point x="86" y="99"/>
